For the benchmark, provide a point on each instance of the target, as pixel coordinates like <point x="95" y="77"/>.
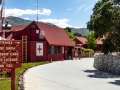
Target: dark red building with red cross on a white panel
<point x="44" y="41"/>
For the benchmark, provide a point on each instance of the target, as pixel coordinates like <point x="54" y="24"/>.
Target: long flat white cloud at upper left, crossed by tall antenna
<point x="20" y="12"/>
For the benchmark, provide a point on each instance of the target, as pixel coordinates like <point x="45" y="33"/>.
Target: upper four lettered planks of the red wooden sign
<point x="10" y="51"/>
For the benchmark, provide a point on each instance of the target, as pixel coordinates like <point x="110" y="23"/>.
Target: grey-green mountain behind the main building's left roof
<point x="17" y="21"/>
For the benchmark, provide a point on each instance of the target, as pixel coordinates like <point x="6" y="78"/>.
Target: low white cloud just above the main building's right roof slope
<point x="60" y="22"/>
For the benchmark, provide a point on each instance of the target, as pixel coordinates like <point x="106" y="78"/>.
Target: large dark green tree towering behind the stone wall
<point x="105" y="21"/>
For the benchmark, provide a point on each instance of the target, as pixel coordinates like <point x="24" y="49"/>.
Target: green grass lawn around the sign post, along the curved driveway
<point x="6" y="83"/>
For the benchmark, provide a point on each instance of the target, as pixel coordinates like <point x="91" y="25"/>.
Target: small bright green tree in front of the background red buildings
<point x="91" y="41"/>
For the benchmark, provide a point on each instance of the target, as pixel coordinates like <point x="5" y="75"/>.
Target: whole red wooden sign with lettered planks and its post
<point x="11" y="57"/>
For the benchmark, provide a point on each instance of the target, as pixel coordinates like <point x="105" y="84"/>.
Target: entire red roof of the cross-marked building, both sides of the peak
<point x="53" y="34"/>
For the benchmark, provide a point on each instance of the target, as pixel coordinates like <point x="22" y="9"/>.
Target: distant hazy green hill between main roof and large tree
<point x="82" y="31"/>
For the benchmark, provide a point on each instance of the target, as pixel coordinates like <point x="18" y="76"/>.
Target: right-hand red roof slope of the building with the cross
<point x="55" y="35"/>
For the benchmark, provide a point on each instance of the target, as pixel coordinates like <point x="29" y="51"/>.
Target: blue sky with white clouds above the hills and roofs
<point x="63" y="13"/>
